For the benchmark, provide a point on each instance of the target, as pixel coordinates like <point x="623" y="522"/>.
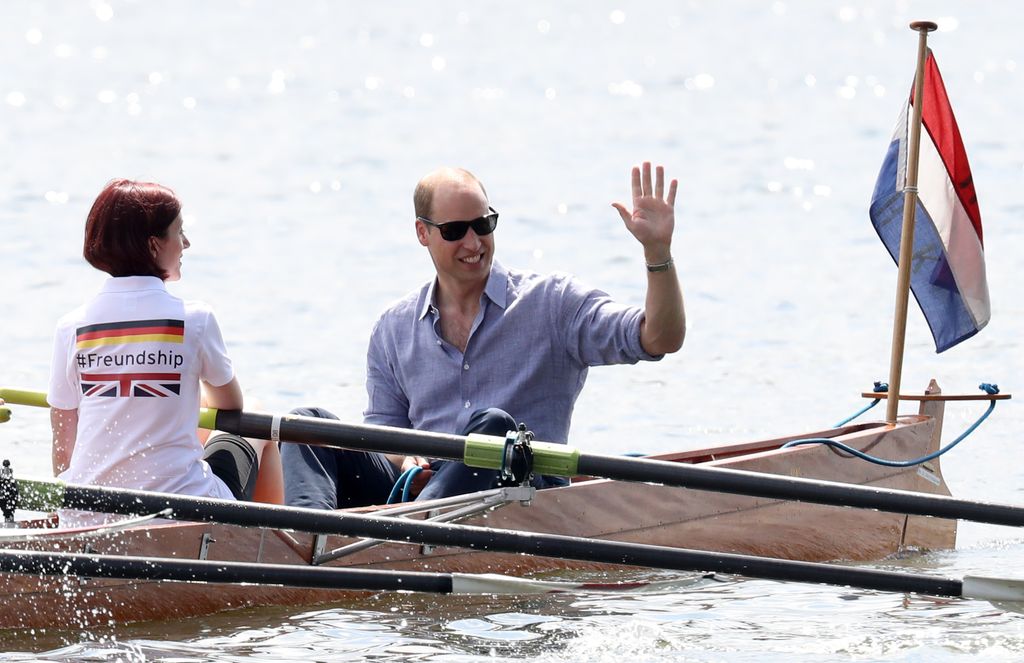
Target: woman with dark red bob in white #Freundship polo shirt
<point x="134" y="364"/>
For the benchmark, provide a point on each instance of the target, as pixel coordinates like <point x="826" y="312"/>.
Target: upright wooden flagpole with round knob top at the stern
<point x="907" y="237"/>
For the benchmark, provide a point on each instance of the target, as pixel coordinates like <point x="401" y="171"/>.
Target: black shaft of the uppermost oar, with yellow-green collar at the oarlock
<point x="330" y="433"/>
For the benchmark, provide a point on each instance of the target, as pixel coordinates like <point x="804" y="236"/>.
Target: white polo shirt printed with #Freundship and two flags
<point x="131" y="362"/>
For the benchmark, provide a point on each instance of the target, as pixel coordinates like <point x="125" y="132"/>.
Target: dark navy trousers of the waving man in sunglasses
<point x="327" y="478"/>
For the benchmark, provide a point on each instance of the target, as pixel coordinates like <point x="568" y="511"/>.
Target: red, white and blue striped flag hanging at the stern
<point x="948" y="274"/>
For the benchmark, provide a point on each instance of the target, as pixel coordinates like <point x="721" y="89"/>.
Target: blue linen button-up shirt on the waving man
<point x="530" y="348"/>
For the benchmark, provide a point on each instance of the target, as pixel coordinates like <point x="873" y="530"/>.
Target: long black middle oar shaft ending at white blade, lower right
<point x="551" y="546"/>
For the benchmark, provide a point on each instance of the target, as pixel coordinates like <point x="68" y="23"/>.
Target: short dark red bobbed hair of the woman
<point x="123" y="219"/>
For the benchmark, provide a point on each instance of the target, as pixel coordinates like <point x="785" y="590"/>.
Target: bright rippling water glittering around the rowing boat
<point x="295" y="134"/>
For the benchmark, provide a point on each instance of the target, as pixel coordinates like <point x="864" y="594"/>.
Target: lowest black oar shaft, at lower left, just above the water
<point x="93" y="566"/>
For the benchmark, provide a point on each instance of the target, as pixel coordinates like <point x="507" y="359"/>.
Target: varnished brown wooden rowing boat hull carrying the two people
<point x="589" y="508"/>
